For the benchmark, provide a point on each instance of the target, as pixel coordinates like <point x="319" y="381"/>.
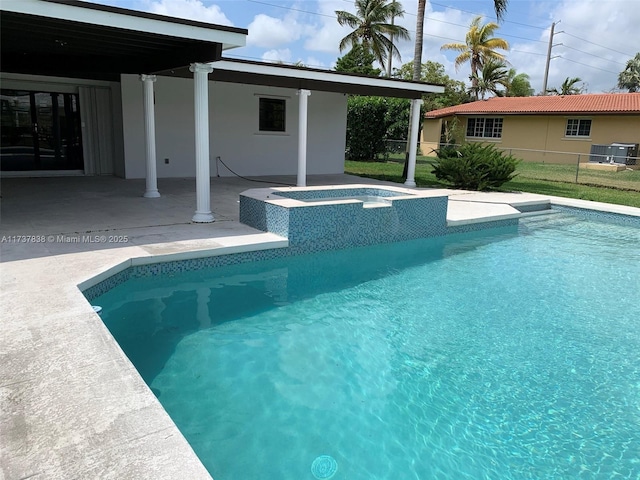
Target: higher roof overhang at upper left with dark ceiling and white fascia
<point x="70" y="38"/>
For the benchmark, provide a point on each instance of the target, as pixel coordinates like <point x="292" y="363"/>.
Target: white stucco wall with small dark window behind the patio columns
<point x="233" y="126"/>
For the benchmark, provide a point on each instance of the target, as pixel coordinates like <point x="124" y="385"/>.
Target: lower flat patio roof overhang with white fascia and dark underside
<point x="258" y="73"/>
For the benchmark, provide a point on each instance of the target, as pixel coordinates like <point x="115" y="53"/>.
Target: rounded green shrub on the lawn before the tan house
<point x="474" y="166"/>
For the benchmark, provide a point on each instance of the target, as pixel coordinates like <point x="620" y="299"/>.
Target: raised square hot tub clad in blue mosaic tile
<point x="329" y="217"/>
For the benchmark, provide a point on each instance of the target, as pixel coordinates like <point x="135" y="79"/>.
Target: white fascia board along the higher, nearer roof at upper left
<point x="127" y="22"/>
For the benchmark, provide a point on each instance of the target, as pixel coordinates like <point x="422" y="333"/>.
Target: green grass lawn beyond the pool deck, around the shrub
<point x="548" y="179"/>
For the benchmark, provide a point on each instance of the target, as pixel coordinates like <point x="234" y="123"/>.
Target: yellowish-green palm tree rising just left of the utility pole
<point x="479" y="47"/>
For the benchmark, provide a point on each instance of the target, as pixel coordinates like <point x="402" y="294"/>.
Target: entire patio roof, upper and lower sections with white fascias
<point x="71" y="38"/>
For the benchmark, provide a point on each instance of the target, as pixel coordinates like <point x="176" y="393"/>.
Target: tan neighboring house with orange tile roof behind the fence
<point x="550" y="128"/>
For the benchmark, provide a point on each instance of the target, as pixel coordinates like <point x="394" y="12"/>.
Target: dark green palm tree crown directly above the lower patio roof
<point x="370" y="25"/>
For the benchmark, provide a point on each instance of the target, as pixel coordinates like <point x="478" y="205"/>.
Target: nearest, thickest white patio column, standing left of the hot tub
<point x="201" y="73"/>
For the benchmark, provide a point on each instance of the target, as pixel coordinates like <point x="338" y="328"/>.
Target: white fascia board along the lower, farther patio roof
<point x="325" y="76"/>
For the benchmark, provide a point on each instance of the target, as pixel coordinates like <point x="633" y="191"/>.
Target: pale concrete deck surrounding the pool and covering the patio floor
<point x="71" y="403"/>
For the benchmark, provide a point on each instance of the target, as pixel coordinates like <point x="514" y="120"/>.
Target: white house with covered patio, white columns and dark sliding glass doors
<point x="90" y="89"/>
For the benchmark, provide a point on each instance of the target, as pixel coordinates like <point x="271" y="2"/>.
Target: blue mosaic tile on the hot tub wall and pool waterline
<point x="416" y="219"/>
